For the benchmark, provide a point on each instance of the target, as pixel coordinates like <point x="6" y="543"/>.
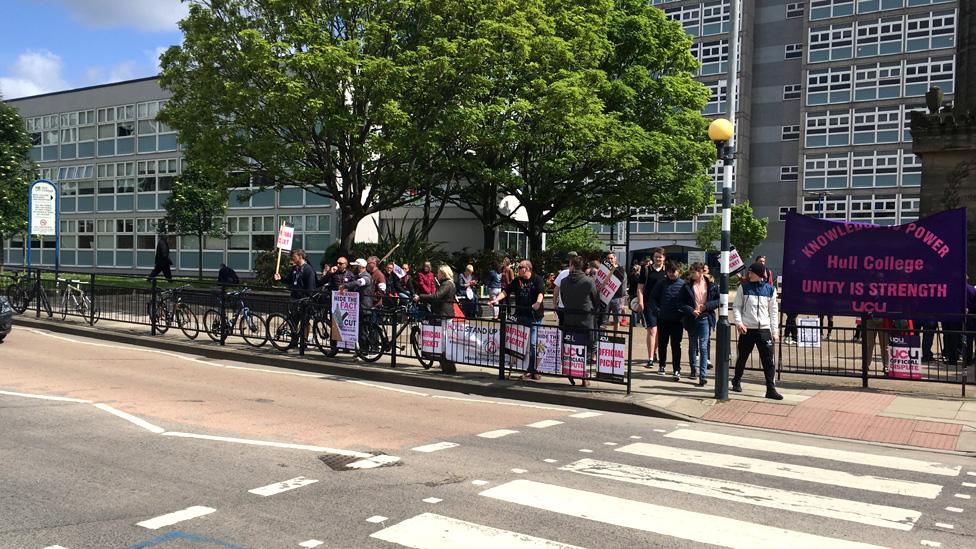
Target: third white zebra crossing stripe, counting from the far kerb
<point x="810" y="504"/>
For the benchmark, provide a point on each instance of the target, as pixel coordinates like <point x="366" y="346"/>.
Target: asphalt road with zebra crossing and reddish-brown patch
<point x="148" y="449"/>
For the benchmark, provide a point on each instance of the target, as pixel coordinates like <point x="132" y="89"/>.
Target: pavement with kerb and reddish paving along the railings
<point x="914" y="414"/>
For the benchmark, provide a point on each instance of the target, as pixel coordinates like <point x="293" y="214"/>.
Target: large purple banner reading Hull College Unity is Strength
<point x="917" y="270"/>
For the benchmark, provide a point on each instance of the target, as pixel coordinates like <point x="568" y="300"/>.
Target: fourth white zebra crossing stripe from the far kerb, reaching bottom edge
<point x="668" y="521"/>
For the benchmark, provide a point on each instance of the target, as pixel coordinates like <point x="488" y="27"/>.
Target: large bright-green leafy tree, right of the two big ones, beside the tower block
<point x="585" y="108"/>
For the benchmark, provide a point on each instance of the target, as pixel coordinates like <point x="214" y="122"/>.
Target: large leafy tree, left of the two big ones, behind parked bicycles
<point x="348" y="100"/>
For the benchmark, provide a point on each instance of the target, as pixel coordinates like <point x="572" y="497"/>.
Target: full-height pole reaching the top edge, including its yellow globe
<point x="724" y="142"/>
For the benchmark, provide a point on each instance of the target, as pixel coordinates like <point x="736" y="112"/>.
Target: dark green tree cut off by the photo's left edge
<point x="16" y="173"/>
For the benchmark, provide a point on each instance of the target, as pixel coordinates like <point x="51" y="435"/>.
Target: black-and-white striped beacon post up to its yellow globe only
<point x="720" y="131"/>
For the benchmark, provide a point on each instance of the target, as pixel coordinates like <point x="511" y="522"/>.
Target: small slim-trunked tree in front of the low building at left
<point x="196" y="207"/>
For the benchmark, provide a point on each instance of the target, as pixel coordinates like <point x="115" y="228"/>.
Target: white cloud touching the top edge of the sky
<point x="144" y="15"/>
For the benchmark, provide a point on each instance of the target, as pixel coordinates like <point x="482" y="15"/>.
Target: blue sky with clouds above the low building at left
<point x="52" y="45"/>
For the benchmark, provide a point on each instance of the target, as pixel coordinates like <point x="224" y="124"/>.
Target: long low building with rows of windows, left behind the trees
<point x="115" y="165"/>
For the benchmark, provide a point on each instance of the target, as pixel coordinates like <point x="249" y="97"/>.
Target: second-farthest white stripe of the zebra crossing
<point x="785" y="470"/>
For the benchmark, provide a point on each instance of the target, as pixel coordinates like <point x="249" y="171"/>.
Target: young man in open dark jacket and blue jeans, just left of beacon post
<point x="699" y="299"/>
